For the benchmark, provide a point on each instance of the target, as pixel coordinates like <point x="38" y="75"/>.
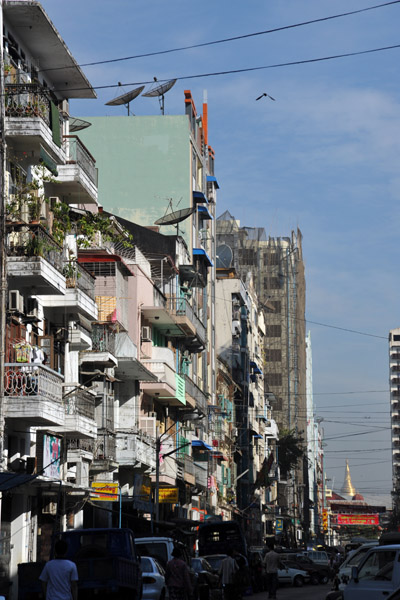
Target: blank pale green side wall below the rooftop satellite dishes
<point x="142" y="163"/>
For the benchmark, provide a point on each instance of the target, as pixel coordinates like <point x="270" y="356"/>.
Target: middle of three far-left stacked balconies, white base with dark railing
<point x="34" y="261"/>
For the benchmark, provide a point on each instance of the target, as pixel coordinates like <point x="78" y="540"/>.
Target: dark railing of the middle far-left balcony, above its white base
<point x="33" y="240"/>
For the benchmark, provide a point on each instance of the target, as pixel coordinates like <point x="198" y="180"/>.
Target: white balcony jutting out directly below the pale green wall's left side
<point x="77" y="179"/>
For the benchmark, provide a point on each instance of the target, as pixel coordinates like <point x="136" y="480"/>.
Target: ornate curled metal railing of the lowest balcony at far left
<point x="31" y="379"/>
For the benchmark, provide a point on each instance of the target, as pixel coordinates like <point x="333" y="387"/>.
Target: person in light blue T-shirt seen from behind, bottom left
<point x="60" y="576"/>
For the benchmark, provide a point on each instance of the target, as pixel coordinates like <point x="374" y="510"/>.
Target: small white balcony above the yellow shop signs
<point x="135" y="450"/>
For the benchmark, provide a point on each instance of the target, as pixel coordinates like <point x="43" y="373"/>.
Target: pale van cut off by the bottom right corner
<point x="378" y="574"/>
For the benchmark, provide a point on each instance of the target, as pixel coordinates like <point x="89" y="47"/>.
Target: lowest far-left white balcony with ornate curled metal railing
<point x="33" y="394"/>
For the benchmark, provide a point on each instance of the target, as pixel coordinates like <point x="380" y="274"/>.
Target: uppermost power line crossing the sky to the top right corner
<point x="229" y="39"/>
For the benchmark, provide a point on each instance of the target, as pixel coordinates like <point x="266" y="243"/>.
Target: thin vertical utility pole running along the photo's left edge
<point x="3" y="258"/>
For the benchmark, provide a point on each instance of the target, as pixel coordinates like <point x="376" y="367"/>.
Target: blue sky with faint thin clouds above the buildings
<point x="323" y="157"/>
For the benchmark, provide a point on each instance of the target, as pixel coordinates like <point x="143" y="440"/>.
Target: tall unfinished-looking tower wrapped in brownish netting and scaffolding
<point x="277" y="268"/>
